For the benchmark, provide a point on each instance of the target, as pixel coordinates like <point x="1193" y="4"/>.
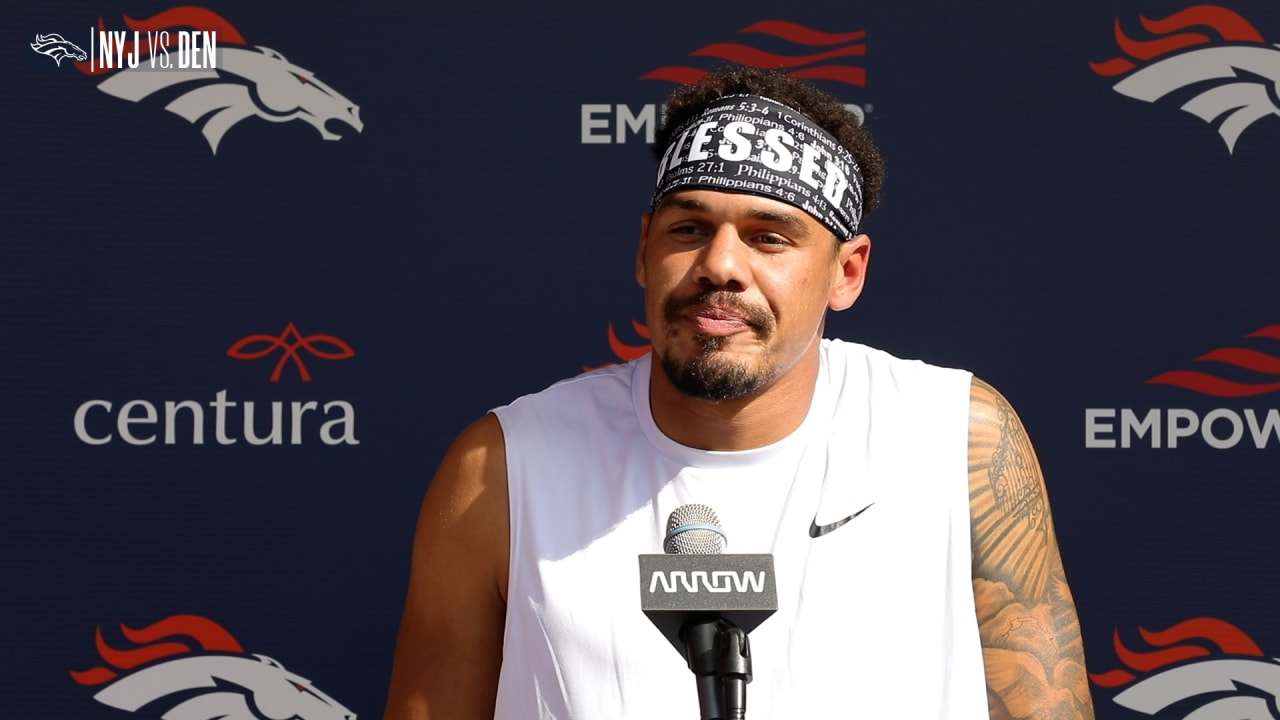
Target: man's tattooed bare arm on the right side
<point x="1031" y="635"/>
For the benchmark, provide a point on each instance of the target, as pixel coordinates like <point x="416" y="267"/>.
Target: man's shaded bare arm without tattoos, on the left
<point x="450" y="648"/>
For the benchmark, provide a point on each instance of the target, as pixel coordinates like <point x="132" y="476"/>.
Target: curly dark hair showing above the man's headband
<point x="824" y="110"/>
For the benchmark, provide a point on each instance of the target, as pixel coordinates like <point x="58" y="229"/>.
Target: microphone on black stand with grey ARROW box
<point x="706" y="603"/>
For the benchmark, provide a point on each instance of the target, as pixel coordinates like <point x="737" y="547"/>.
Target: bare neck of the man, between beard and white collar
<point x="744" y="423"/>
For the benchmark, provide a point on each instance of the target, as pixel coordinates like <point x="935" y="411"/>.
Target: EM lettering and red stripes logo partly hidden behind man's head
<point x="802" y="52"/>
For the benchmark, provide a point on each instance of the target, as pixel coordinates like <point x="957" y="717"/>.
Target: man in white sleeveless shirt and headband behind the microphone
<point x="917" y="569"/>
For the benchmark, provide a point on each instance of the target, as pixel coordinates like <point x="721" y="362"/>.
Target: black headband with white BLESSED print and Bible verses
<point x="758" y="147"/>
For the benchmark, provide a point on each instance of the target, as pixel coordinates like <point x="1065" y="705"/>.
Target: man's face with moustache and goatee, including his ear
<point x="737" y="289"/>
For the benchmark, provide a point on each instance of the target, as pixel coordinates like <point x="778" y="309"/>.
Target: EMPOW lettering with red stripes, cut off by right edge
<point x="1237" y="372"/>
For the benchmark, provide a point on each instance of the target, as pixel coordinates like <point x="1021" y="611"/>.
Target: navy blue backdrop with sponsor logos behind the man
<point x="1080" y="209"/>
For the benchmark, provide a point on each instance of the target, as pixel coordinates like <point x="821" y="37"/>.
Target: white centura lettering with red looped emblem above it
<point x="172" y="422"/>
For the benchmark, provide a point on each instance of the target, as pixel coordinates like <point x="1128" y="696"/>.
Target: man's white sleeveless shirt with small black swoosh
<point x="876" y="619"/>
